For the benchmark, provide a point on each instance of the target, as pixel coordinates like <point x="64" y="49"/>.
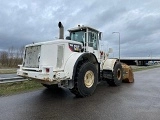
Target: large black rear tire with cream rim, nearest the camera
<point x="85" y="80"/>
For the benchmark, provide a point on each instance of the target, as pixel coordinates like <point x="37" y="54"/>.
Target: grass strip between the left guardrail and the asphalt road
<point x="18" y="87"/>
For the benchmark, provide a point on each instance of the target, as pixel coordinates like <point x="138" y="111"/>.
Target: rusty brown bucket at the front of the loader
<point x="128" y="75"/>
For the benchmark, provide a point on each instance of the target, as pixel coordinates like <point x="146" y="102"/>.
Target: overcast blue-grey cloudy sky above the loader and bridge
<point x="138" y="21"/>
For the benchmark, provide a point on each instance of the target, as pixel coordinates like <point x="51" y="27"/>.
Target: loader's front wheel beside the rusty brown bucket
<point x="117" y="75"/>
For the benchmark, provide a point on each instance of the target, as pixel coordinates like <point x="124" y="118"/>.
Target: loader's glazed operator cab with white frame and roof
<point x="88" y="36"/>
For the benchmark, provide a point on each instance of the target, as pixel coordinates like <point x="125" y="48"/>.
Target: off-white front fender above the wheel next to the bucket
<point x="109" y="64"/>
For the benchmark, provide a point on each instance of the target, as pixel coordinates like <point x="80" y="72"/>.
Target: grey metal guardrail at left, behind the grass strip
<point x="13" y="79"/>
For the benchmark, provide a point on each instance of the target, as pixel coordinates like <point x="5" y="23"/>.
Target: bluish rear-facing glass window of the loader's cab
<point x="77" y="36"/>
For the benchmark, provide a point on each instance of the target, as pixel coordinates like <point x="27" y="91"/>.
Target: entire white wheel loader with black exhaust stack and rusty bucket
<point x="75" y="62"/>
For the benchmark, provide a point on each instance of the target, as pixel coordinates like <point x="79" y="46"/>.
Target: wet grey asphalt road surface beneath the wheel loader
<point x="137" y="101"/>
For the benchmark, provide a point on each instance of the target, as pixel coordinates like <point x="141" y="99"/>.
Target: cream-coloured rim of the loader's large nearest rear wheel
<point x="89" y="79"/>
